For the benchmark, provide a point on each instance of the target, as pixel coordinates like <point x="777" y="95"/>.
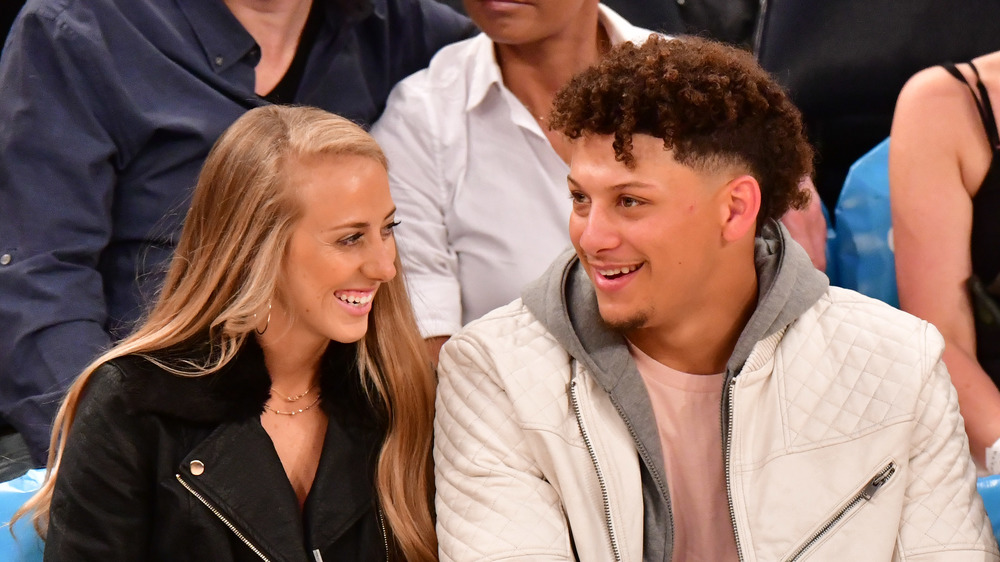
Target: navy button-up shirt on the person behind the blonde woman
<point x="109" y="108"/>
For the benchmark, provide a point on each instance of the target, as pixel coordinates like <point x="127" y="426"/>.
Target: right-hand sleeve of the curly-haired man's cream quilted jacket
<point x="943" y="515"/>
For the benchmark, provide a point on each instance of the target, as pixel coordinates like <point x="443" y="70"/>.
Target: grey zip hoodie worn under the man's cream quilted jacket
<point x="564" y="301"/>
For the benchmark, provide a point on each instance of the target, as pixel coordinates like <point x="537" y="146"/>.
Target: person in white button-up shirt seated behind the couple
<point x="479" y="183"/>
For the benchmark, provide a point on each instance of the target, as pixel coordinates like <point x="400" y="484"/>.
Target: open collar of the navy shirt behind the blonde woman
<point x="225" y="41"/>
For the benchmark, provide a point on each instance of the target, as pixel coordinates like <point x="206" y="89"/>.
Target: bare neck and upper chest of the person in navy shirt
<point x="276" y="26"/>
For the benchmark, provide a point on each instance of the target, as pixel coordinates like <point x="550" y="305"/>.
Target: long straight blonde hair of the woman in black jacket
<point x="226" y="268"/>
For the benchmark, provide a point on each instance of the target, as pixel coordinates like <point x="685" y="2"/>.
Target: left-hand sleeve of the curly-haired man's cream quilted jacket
<point x="493" y="501"/>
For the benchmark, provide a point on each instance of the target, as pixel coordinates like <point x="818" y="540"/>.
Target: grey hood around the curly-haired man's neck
<point x="564" y="301"/>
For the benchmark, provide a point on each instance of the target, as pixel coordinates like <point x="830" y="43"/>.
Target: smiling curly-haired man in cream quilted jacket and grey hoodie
<point x="685" y="385"/>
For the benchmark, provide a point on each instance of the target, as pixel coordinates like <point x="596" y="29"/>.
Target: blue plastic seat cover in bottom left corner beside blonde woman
<point x="24" y="545"/>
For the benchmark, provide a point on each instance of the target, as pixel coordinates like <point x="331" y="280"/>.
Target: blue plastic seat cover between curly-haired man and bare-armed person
<point x="862" y="253"/>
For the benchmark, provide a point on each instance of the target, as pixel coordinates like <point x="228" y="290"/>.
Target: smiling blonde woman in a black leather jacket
<point x="277" y="402"/>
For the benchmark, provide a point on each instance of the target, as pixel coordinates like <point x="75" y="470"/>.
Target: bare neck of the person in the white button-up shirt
<point x="534" y="72"/>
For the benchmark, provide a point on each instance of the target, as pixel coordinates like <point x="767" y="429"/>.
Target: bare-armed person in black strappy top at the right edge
<point x="944" y="175"/>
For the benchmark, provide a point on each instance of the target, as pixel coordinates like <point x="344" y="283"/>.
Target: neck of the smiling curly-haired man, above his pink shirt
<point x="702" y="340"/>
